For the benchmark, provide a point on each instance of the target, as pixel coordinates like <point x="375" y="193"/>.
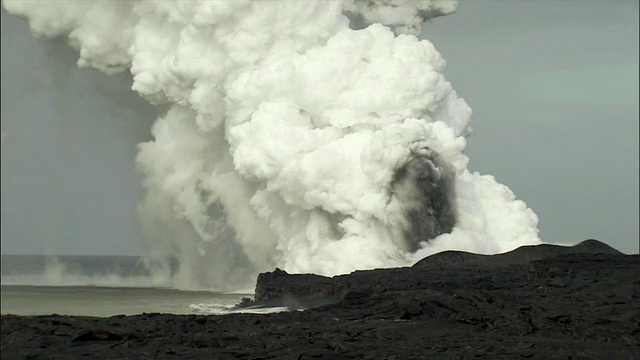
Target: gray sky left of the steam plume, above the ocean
<point x="69" y="184"/>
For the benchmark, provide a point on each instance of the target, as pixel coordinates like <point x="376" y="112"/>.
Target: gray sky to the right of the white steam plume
<point x="554" y="90"/>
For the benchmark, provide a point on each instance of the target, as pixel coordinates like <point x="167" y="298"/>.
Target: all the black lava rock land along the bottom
<point x="541" y="302"/>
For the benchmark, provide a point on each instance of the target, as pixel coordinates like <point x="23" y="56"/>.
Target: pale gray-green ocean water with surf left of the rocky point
<point x="97" y="286"/>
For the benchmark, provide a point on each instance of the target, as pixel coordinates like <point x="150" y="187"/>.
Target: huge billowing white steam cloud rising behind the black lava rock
<point x="288" y="125"/>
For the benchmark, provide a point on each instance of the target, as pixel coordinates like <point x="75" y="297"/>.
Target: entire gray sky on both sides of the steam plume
<point x="553" y="86"/>
